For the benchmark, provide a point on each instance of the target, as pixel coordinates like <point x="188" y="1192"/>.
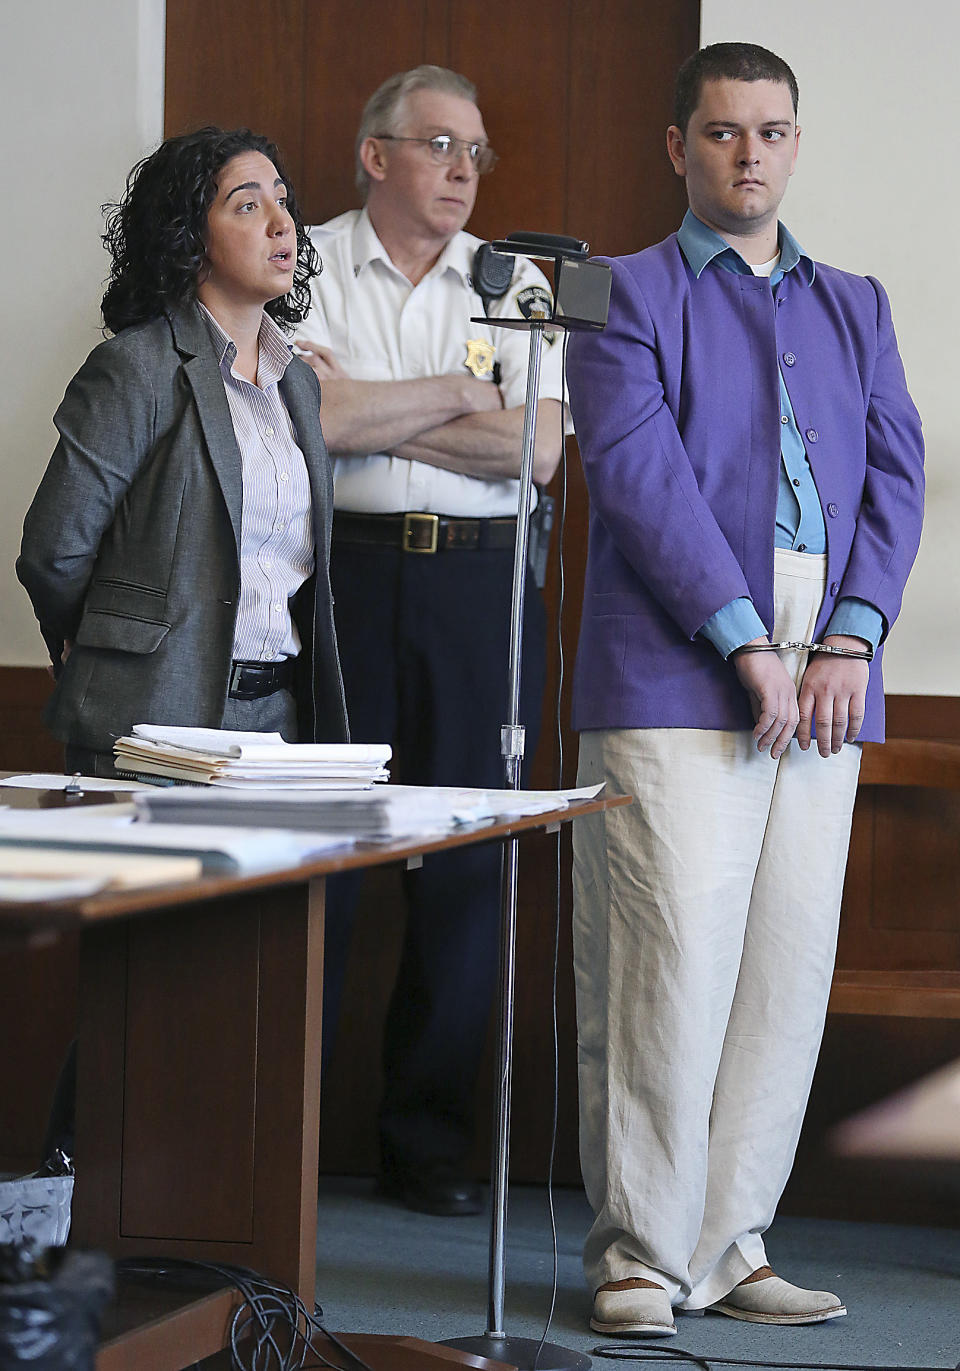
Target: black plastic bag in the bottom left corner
<point x="51" y="1300"/>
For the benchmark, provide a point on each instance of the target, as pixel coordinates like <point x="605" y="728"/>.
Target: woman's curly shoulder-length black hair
<point x="156" y="234"/>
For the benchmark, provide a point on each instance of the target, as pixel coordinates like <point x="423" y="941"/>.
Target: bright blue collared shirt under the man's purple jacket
<point x="800" y="523"/>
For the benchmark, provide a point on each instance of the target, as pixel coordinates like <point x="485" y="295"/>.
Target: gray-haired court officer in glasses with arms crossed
<point x="423" y="415"/>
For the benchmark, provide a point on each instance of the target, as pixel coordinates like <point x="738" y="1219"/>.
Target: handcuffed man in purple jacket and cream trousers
<point x="755" y="472"/>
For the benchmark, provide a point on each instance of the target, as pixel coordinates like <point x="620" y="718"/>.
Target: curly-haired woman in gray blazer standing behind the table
<point x="178" y="549"/>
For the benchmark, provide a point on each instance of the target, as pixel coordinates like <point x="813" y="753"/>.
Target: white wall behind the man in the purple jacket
<point x="877" y="191"/>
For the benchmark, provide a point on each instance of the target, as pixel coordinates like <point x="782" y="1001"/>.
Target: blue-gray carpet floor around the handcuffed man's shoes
<point x="383" y="1269"/>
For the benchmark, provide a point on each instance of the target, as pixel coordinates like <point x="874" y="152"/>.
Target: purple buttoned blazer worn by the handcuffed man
<point x="678" y="417"/>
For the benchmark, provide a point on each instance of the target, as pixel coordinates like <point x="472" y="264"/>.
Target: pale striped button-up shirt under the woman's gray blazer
<point x="276" y="530"/>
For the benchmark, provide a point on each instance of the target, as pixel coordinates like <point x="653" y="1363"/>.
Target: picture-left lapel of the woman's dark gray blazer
<point x="202" y="371"/>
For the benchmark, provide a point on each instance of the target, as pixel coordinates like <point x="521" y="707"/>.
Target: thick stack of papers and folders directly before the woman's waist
<point x="220" y="757"/>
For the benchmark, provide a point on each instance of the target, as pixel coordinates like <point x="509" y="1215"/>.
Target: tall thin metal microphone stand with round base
<point x="525" y="1354"/>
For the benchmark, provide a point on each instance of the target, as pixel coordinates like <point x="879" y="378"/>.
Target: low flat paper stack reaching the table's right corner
<point x="379" y="815"/>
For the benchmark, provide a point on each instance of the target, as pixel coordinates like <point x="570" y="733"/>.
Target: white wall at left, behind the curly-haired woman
<point x="82" y="99"/>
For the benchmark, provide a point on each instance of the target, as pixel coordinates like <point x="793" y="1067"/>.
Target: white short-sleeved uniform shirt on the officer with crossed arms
<point x="382" y="328"/>
